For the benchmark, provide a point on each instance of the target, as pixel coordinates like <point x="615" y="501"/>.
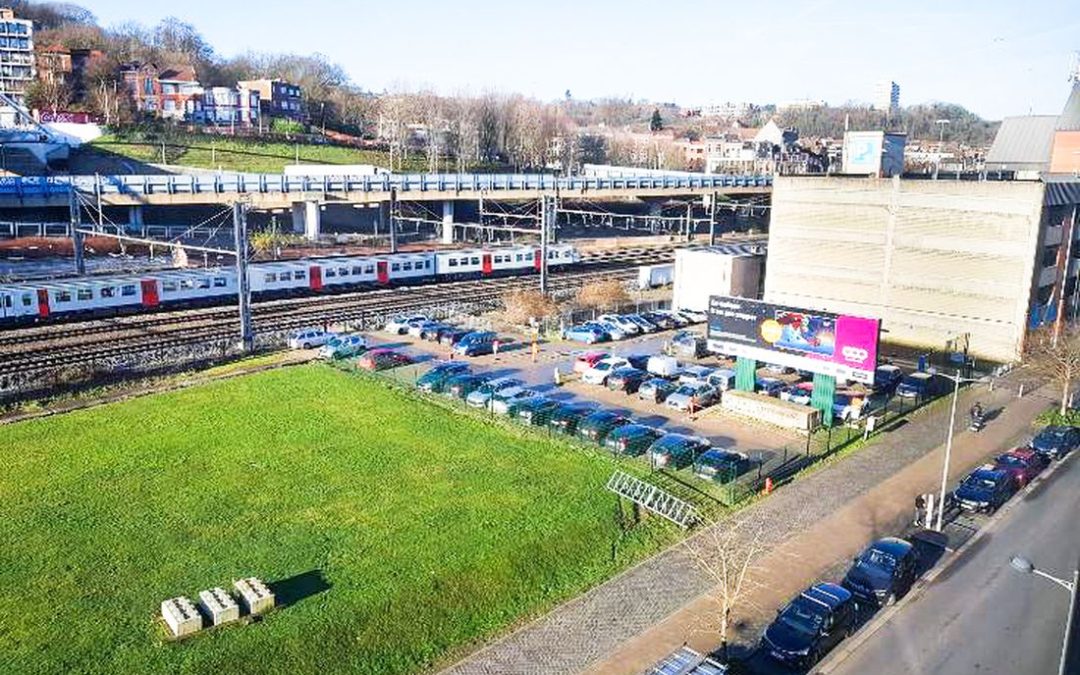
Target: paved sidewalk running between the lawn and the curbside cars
<point x="636" y="619"/>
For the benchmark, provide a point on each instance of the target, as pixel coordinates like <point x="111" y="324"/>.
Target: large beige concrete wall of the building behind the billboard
<point x="934" y="260"/>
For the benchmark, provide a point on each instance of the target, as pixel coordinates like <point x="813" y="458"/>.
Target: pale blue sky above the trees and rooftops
<point x="995" y="58"/>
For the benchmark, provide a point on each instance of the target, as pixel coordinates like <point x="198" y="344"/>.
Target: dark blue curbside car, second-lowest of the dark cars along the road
<point x="884" y="572"/>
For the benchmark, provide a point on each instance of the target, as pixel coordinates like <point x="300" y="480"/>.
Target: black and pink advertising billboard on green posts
<point x="838" y="345"/>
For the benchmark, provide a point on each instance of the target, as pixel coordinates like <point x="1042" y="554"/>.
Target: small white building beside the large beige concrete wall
<point x="733" y="269"/>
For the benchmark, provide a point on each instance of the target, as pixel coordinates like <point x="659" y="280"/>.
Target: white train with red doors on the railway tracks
<point x="33" y="302"/>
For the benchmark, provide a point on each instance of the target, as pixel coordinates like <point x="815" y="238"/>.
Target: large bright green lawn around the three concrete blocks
<point x="433" y="530"/>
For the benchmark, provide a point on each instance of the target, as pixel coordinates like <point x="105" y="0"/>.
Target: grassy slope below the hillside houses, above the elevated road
<point x="244" y="155"/>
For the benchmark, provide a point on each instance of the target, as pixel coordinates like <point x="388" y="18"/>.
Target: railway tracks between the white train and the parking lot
<point x="48" y="348"/>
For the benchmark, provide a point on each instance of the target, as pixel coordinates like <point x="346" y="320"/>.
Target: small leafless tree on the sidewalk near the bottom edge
<point x="728" y="555"/>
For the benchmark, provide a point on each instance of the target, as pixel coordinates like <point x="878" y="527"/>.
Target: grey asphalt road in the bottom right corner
<point x="983" y="617"/>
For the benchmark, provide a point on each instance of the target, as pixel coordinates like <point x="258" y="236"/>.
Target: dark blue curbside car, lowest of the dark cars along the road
<point x="811" y="626"/>
